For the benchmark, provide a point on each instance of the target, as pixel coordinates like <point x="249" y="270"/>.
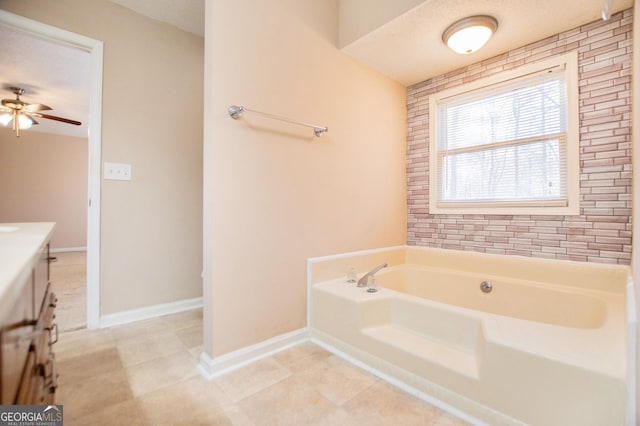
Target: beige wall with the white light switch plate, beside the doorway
<point x="151" y="227"/>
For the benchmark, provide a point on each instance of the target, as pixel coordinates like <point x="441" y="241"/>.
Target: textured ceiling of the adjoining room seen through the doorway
<point x="53" y="74"/>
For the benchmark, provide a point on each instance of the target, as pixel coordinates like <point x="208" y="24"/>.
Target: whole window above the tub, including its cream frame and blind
<point x="508" y="144"/>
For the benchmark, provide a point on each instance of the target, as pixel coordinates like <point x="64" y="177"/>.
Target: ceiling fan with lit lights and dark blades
<point x="21" y="114"/>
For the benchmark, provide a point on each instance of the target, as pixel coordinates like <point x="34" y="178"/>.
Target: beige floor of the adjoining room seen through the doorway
<point x="69" y="283"/>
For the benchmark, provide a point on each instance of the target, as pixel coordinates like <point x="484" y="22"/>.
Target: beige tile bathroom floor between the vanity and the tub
<point x="145" y="374"/>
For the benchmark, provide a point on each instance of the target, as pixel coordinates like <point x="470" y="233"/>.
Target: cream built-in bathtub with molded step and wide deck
<point x="546" y="346"/>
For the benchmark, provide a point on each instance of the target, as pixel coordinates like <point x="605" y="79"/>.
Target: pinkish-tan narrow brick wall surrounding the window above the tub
<point x="602" y="231"/>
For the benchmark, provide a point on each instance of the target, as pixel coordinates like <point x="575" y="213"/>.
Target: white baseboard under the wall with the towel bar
<point x="213" y="367"/>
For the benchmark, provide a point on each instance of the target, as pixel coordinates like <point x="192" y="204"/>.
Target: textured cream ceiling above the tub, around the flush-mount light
<point x="409" y="48"/>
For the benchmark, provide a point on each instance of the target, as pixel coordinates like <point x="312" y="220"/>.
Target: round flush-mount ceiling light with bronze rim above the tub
<point x="470" y="34"/>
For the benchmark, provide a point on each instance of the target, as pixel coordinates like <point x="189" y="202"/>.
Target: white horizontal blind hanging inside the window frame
<point x="505" y="145"/>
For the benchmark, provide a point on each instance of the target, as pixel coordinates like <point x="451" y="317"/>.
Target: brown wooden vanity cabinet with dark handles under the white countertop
<point x="27" y="362"/>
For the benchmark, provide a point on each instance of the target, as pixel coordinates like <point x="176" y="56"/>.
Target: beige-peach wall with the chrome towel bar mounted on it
<point x="273" y="194"/>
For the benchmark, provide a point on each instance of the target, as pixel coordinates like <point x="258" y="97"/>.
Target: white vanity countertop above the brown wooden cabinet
<point x="20" y="245"/>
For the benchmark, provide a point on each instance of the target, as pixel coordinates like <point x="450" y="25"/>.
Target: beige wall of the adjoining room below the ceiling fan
<point x="43" y="178"/>
